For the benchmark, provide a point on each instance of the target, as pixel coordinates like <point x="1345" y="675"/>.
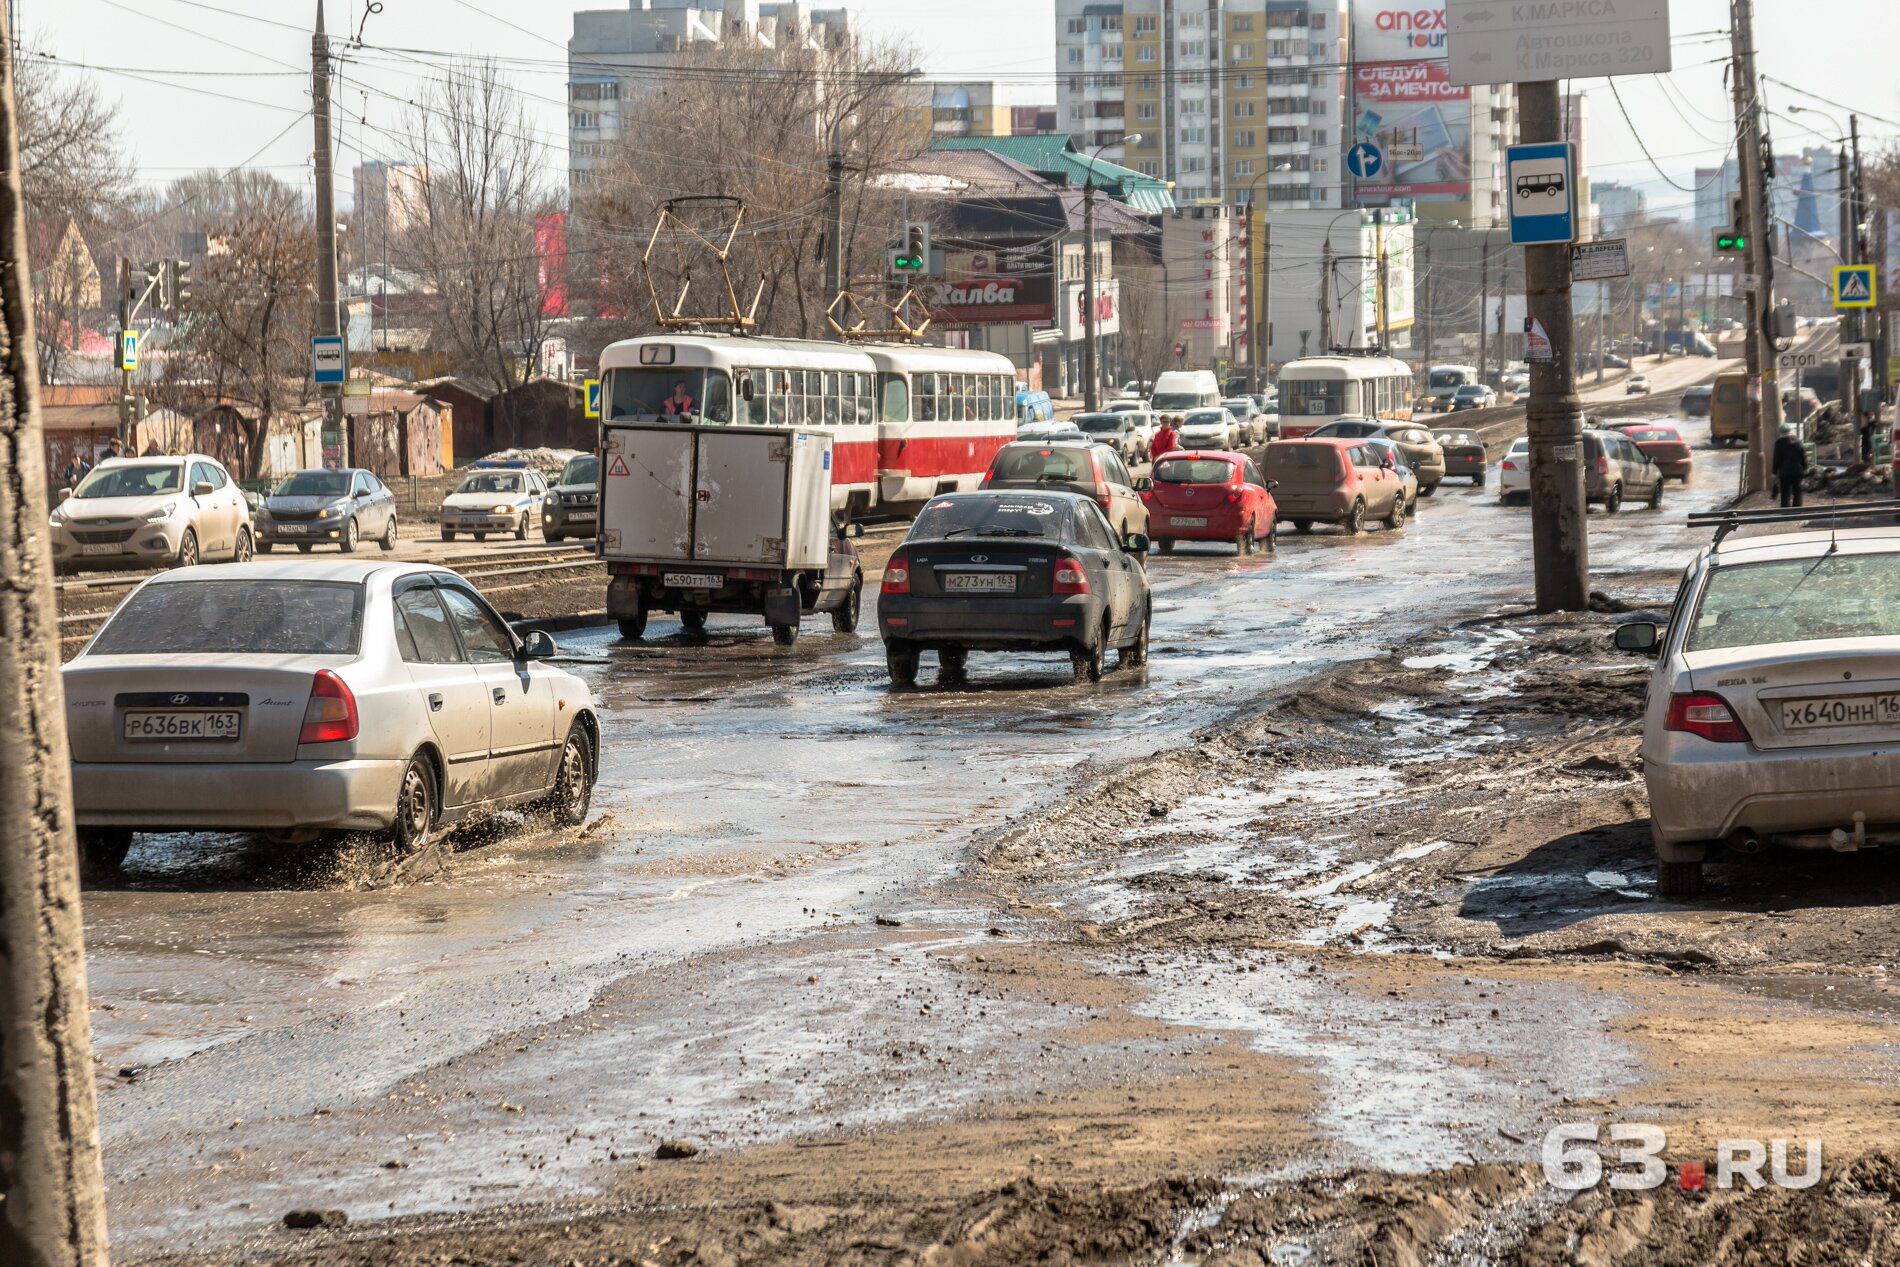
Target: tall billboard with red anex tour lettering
<point x="1407" y="105"/>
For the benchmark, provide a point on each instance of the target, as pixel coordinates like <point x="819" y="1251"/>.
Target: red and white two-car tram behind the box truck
<point x="907" y="423"/>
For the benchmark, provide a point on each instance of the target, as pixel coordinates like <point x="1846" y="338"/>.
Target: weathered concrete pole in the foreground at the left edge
<point x="52" y="1192"/>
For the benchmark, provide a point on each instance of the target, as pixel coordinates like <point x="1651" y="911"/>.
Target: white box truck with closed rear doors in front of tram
<point x="700" y="520"/>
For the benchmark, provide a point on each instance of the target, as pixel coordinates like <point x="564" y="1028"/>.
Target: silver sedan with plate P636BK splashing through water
<point x="307" y="698"/>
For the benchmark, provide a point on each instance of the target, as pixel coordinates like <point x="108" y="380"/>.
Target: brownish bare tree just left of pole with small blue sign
<point x="246" y="339"/>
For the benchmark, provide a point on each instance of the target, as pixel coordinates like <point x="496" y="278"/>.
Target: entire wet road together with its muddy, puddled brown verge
<point x="1323" y="917"/>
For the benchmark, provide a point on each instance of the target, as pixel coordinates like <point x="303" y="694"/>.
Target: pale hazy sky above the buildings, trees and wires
<point x="250" y="64"/>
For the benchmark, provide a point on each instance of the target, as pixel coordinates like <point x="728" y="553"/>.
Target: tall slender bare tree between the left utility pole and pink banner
<point x="482" y="189"/>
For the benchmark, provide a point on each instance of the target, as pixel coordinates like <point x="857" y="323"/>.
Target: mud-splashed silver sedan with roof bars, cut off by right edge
<point x="1772" y="717"/>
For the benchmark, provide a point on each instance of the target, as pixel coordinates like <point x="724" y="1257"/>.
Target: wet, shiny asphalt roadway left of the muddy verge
<point x="552" y="1006"/>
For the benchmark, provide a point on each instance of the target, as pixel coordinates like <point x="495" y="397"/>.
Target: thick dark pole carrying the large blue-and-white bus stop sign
<point x="1561" y="542"/>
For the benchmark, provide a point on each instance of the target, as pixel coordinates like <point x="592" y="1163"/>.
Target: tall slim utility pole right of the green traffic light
<point x="1764" y="396"/>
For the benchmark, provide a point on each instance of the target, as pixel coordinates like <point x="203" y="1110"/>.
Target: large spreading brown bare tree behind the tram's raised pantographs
<point x="753" y="123"/>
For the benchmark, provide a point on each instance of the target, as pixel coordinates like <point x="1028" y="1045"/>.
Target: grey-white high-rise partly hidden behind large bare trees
<point x="615" y="54"/>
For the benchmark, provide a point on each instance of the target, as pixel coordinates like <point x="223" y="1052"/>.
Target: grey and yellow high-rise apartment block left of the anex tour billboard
<point x="1234" y="100"/>
